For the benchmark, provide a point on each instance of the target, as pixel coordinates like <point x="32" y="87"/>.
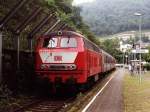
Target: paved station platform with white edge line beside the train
<point x="110" y="97"/>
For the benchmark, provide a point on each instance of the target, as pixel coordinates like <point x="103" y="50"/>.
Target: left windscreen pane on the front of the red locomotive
<point x="50" y="42"/>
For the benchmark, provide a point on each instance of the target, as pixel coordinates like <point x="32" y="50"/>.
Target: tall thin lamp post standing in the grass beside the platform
<point x="140" y="35"/>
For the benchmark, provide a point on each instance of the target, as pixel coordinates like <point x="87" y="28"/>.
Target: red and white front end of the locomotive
<point x="60" y="54"/>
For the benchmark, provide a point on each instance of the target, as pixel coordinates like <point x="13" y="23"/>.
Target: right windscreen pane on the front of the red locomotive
<point x="68" y="42"/>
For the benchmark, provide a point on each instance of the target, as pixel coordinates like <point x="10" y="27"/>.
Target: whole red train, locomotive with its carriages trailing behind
<point x="64" y="56"/>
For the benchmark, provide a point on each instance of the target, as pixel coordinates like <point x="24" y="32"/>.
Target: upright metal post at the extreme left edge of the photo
<point x="0" y="56"/>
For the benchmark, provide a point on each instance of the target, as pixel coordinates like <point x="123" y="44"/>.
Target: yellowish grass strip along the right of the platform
<point x="136" y="95"/>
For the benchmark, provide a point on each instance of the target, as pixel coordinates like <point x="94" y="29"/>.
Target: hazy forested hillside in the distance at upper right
<point x="113" y="16"/>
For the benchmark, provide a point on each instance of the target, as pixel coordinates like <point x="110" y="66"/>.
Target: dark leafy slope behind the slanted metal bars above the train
<point x="61" y="9"/>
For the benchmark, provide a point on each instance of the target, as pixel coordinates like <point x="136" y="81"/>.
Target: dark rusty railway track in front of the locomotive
<point x="46" y="105"/>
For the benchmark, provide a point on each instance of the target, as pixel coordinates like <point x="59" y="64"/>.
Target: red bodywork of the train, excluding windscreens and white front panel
<point x="89" y="62"/>
